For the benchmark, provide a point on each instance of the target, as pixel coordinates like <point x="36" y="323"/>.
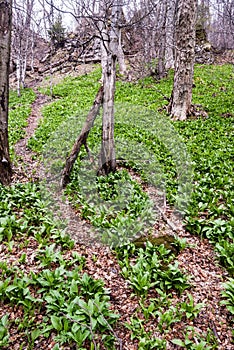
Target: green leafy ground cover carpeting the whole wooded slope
<point x="75" y="307"/>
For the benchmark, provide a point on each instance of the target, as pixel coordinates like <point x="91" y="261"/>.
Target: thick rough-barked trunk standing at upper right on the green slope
<point x="185" y="29"/>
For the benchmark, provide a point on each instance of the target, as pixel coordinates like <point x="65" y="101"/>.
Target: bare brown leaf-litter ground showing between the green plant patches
<point x="198" y="260"/>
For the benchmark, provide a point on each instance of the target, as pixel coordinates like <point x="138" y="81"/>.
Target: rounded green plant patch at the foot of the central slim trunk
<point x="116" y="205"/>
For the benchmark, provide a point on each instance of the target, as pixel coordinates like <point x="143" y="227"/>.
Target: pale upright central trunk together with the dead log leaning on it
<point x="109" y="30"/>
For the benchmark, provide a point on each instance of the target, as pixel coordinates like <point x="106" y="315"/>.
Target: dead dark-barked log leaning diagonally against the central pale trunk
<point x="81" y="140"/>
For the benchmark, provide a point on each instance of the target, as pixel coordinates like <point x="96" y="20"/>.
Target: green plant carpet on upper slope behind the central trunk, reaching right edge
<point x="208" y="142"/>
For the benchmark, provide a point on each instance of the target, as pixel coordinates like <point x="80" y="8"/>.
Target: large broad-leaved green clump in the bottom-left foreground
<point x="74" y="305"/>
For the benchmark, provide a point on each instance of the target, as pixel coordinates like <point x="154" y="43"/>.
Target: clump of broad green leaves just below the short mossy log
<point x="149" y="268"/>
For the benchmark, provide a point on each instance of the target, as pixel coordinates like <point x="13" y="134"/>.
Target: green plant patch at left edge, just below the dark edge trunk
<point x="24" y="212"/>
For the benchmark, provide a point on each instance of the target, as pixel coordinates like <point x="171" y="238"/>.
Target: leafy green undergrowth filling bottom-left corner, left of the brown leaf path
<point x="56" y="297"/>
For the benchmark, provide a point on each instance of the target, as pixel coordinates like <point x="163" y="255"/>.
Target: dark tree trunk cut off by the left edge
<point x="5" y="39"/>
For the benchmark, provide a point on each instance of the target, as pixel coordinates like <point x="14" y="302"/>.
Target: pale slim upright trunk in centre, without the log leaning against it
<point x="109" y="46"/>
